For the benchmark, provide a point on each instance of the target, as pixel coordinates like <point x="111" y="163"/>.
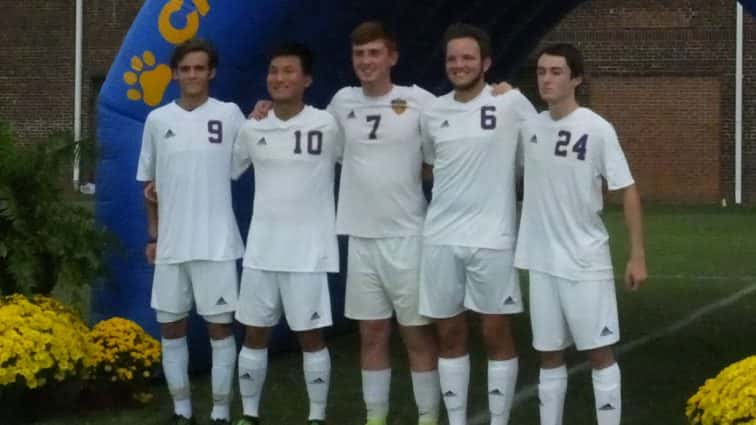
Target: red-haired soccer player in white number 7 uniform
<point x="382" y="209"/>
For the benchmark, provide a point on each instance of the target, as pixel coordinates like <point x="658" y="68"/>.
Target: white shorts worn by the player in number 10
<point x="304" y="298"/>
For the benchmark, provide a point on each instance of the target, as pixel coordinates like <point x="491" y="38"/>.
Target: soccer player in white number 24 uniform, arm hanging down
<point x="568" y="152"/>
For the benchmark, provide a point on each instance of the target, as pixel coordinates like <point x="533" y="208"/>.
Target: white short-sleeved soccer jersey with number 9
<point x="188" y="155"/>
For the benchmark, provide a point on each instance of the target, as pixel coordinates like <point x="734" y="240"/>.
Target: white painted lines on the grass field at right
<point x="531" y="390"/>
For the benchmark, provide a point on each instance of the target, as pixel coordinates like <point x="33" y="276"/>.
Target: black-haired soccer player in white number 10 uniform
<point x="292" y="238"/>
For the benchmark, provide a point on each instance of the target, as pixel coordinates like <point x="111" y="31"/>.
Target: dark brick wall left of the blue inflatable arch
<point x="37" y="53"/>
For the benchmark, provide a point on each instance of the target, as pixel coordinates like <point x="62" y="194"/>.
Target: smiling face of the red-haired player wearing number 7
<point x="372" y="61"/>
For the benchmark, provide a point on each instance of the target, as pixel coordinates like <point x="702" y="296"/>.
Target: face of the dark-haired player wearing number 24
<point x="555" y="82"/>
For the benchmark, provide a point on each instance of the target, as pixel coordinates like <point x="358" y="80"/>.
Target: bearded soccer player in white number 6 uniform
<point x="469" y="235"/>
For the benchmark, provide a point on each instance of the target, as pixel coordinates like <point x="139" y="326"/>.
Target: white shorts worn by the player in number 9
<point x="211" y="285"/>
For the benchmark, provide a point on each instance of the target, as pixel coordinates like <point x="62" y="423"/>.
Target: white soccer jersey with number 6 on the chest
<point x="473" y="148"/>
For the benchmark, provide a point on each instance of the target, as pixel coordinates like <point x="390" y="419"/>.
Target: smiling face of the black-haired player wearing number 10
<point x="287" y="80"/>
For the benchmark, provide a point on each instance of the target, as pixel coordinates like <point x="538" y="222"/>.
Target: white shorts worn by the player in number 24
<point x="563" y="312"/>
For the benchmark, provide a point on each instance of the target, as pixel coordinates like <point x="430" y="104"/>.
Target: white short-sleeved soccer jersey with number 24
<point x="561" y="232"/>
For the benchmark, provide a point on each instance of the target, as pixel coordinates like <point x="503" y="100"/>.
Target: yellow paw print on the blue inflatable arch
<point x="147" y="80"/>
